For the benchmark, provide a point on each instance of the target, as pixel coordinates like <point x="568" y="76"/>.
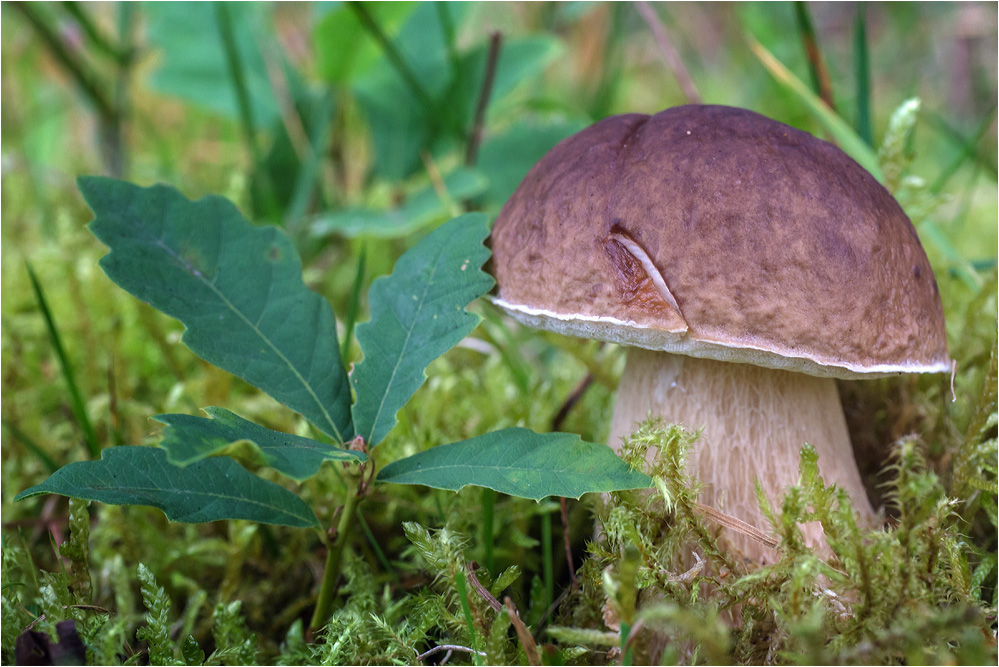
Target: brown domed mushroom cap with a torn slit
<point x="717" y="232"/>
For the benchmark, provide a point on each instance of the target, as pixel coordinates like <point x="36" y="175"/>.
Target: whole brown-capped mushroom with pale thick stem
<point x="747" y="265"/>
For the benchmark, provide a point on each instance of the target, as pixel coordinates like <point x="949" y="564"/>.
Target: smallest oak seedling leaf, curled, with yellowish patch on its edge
<point x="189" y="439"/>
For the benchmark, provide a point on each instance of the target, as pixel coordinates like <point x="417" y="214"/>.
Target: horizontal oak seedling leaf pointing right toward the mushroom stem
<point x="519" y="462"/>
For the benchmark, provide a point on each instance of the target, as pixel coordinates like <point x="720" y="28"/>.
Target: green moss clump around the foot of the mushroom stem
<point x="914" y="591"/>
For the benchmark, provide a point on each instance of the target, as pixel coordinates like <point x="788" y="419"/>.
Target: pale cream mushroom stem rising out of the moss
<point x="754" y="422"/>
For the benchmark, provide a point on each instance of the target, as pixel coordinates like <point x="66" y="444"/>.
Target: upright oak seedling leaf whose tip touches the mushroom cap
<point x="417" y="314"/>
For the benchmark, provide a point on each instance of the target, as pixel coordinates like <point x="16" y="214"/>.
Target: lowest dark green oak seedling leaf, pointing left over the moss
<point x="210" y="490"/>
